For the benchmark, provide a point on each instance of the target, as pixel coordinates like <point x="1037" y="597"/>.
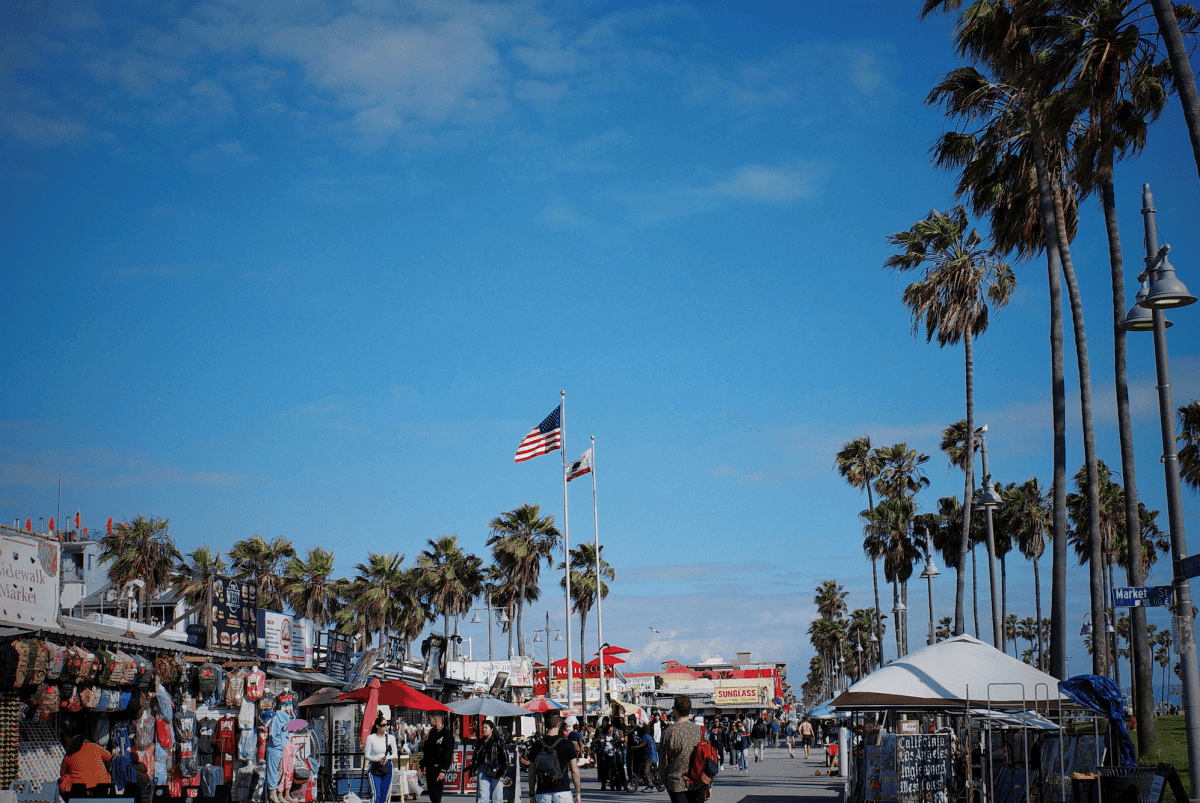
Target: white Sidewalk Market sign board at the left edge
<point x="29" y="580"/>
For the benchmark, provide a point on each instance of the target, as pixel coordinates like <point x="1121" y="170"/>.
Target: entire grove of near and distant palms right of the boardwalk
<point x="1051" y="98"/>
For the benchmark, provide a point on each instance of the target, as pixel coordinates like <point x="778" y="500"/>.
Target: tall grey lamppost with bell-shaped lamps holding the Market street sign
<point x="1163" y="291"/>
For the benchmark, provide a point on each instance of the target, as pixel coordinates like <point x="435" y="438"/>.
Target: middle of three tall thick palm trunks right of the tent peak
<point x="1096" y="546"/>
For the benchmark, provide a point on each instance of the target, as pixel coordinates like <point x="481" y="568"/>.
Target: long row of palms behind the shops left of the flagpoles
<point x="385" y="597"/>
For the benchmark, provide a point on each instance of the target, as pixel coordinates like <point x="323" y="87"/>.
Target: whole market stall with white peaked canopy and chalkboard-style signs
<point x="961" y="716"/>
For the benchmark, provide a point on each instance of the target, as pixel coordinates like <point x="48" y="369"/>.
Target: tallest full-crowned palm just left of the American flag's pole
<point x="523" y="540"/>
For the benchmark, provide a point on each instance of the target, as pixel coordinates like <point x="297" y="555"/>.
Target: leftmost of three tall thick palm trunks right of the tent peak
<point x="1059" y="392"/>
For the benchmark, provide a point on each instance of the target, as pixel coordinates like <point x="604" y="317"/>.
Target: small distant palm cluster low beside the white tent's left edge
<point x="848" y="646"/>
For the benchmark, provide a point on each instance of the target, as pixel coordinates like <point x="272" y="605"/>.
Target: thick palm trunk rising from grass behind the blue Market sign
<point x="1139" y="658"/>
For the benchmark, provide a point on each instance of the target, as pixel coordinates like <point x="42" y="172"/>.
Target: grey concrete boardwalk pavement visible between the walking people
<point x="776" y="780"/>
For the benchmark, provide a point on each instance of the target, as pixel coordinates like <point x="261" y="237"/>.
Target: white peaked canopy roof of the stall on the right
<point x="943" y="676"/>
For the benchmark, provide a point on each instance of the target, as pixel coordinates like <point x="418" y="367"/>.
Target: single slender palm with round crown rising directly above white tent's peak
<point x="961" y="278"/>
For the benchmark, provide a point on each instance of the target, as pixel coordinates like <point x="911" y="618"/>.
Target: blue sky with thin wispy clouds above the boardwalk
<point x="315" y="269"/>
